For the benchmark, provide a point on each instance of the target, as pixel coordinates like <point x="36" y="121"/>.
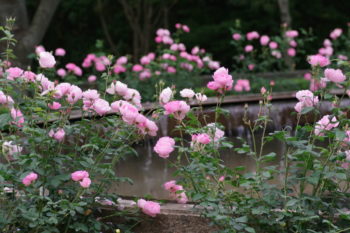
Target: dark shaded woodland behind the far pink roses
<point x="76" y="25"/>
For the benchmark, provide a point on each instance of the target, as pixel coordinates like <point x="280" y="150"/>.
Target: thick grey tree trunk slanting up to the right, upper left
<point x="34" y="34"/>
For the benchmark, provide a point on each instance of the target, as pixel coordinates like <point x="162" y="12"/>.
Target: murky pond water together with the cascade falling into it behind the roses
<point x="149" y="171"/>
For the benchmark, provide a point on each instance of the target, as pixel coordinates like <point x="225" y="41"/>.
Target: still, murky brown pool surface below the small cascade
<point x="149" y="171"/>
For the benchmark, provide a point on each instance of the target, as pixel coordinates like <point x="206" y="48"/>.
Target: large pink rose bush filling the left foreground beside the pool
<point x="55" y="173"/>
